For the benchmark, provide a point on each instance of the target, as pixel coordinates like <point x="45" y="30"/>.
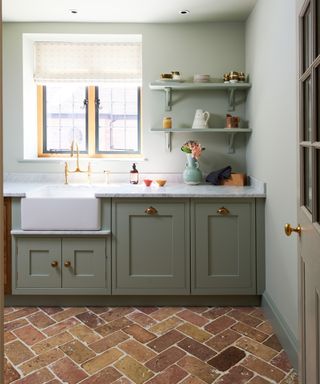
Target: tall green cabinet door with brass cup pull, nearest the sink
<point x="150" y="248"/>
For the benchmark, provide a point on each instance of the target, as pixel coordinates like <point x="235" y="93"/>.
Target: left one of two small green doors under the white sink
<point x="38" y="263"/>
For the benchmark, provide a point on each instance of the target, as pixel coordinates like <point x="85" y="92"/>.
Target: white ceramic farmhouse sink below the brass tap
<point x="61" y="208"/>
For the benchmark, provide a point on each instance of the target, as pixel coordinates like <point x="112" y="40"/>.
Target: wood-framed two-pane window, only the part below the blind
<point x="102" y="120"/>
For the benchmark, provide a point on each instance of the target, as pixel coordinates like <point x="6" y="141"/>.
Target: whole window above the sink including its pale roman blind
<point x="90" y="94"/>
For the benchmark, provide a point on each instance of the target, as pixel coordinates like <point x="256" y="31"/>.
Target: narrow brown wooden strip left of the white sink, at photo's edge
<point x="7" y="245"/>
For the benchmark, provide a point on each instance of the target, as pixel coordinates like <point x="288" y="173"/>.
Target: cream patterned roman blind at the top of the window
<point x="59" y="61"/>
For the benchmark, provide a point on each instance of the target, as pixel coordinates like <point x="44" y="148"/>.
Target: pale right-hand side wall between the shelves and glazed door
<point x="272" y="149"/>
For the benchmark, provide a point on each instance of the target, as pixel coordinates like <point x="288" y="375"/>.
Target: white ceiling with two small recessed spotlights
<point x="126" y="11"/>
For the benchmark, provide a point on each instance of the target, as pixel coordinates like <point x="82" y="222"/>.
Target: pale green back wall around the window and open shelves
<point x="212" y="48"/>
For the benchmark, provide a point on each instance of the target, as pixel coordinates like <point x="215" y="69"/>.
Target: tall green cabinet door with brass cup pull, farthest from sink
<point x="223" y="248"/>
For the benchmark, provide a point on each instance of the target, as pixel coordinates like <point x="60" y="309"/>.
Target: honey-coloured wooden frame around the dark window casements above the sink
<point x="92" y="126"/>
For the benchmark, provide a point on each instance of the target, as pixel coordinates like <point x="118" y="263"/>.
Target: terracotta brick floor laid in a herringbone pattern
<point x="169" y="345"/>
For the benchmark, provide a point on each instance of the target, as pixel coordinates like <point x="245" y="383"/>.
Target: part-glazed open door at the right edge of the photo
<point x="309" y="207"/>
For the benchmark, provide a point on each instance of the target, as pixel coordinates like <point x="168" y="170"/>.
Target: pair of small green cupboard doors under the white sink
<point x="54" y="265"/>
